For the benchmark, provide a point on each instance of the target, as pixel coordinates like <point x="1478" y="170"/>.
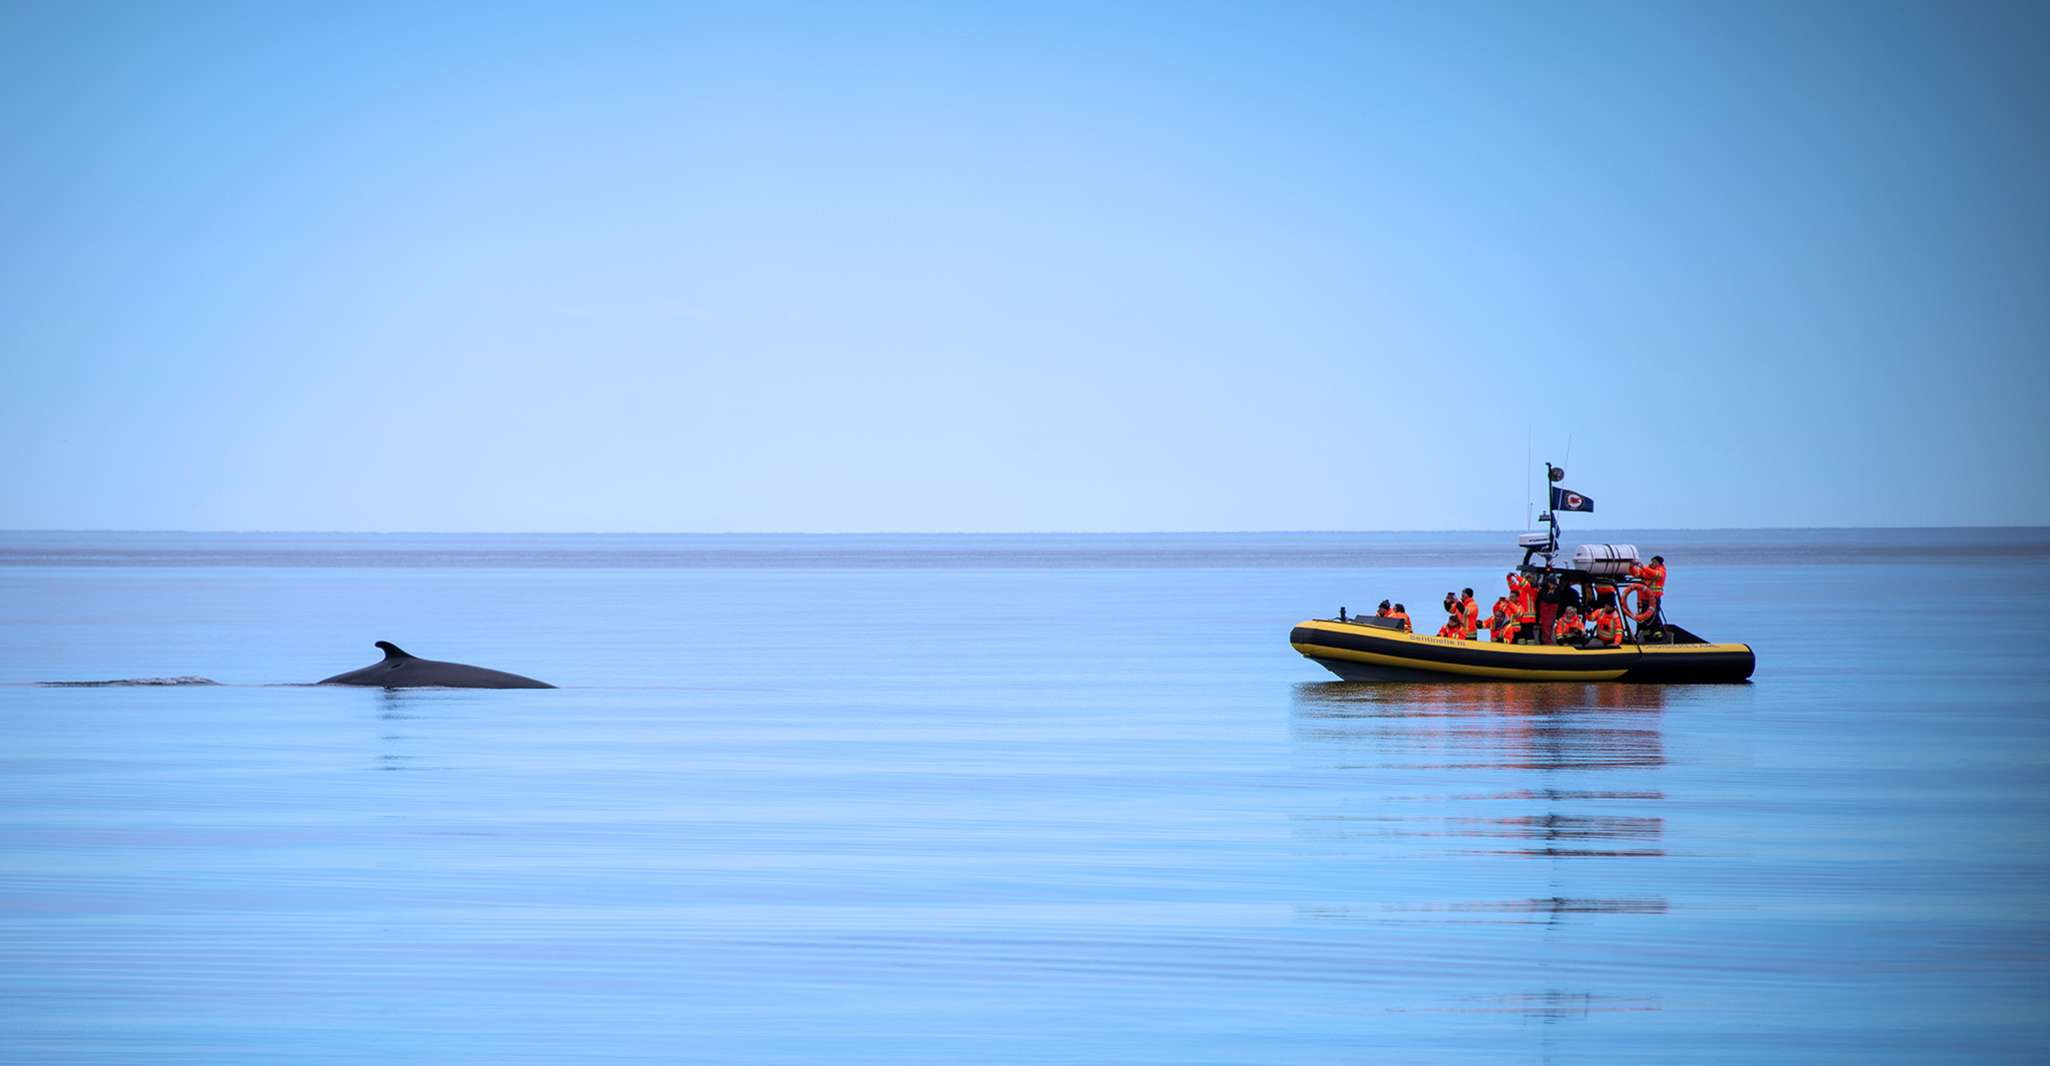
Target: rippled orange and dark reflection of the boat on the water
<point x="1528" y="811"/>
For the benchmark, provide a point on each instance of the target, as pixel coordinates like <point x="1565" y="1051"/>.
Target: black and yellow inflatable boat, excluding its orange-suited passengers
<point x="1653" y="649"/>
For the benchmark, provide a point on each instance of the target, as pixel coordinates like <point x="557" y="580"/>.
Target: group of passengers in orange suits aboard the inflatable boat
<point x="1516" y="616"/>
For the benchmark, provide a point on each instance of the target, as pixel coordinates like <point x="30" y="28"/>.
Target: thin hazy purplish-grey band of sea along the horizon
<point x="1475" y="552"/>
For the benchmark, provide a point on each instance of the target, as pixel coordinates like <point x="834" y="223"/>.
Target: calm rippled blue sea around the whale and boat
<point x="1010" y="801"/>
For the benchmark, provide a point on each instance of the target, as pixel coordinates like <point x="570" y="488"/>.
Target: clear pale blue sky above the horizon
<point x="967" y="268"/>
